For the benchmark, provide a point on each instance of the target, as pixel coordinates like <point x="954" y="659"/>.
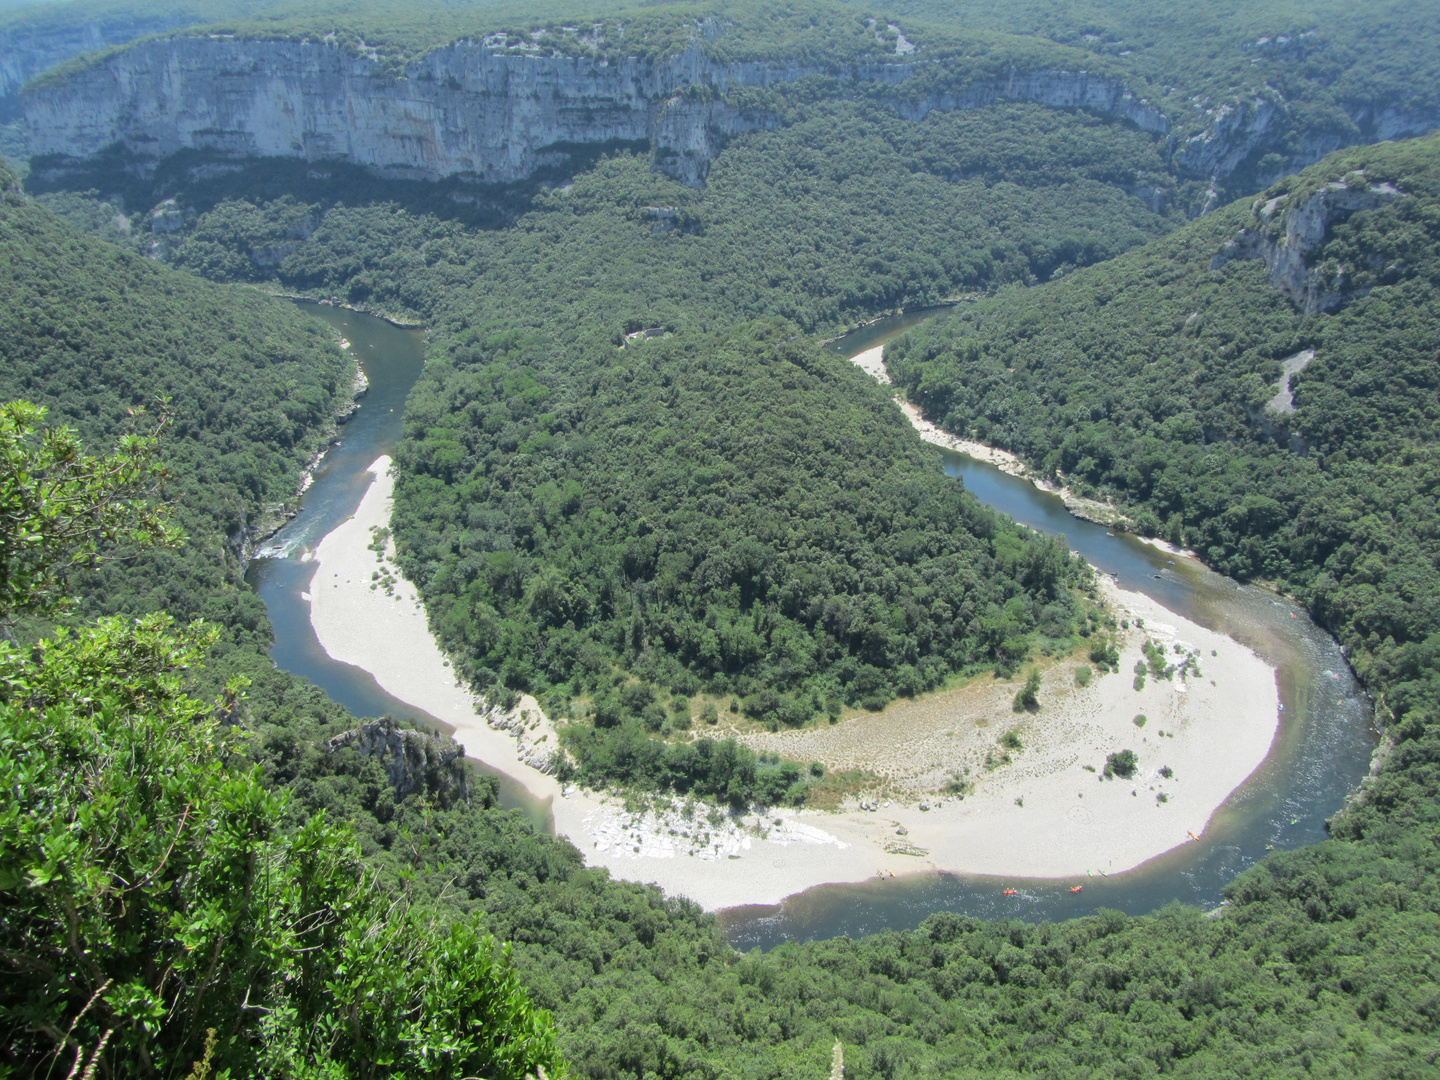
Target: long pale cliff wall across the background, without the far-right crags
<point x="462" y="110"/>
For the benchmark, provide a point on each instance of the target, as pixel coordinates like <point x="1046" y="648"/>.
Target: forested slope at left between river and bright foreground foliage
<point x="248" y="384"/>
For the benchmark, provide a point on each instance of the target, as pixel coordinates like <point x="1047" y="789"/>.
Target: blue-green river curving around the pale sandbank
<point x="1321" y="752"/>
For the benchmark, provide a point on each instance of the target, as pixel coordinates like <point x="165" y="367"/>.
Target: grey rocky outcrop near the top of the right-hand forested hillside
<point x="1288" y="231"/>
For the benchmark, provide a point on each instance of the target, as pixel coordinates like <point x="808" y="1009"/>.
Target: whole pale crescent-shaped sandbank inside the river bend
<point x="1042" y="814"/>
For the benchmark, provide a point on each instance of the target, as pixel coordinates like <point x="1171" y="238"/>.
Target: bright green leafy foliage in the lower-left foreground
<point x="158" y="909"/>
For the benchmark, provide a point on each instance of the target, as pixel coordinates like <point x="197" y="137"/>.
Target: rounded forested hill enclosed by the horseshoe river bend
<point x="732" y="515"/>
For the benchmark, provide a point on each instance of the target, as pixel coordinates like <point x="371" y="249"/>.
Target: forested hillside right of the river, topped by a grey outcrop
<point x="1157" y="379"/>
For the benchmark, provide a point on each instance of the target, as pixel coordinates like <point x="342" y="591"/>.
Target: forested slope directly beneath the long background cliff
<point x="847" y="211"/>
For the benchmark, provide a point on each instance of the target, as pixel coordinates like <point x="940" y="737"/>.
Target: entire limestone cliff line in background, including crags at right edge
<point x="479" y="110"/>
